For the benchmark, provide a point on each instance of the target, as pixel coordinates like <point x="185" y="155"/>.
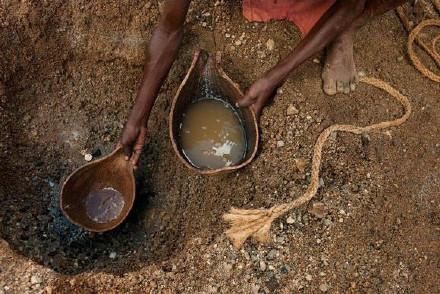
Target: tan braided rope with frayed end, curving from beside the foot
<point x="256" y="223"/>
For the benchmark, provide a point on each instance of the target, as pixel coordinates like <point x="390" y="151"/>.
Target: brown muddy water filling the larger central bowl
<point x="212" y="135"/>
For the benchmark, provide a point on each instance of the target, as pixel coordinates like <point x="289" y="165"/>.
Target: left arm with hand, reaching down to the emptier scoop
<point x="161" y="52"/>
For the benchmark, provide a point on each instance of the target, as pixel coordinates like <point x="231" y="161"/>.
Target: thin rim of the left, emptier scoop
<point x="130" y="204"/>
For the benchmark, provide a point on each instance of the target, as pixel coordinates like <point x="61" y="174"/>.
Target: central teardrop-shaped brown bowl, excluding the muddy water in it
<point x="205" y="68"/>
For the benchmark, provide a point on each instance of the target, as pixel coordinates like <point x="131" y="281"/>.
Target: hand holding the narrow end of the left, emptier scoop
<point x="132" y="141"/>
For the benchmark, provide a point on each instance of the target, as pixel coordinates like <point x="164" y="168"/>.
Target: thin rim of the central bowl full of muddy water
<point x="221" y="72"/>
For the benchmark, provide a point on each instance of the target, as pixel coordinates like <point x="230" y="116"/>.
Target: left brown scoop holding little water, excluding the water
<point x="111" y="171"/>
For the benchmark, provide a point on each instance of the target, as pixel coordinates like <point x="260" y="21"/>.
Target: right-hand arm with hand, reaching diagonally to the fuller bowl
<point x="331" y="24"/>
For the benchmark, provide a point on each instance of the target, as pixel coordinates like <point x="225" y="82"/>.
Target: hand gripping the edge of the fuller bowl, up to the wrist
<point x="258" y="94"/>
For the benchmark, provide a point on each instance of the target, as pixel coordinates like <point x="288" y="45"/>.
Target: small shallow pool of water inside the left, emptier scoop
<point x="104" y="205"/>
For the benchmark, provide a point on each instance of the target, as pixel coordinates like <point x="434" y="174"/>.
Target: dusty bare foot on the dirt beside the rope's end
<point x="339" y="73"/>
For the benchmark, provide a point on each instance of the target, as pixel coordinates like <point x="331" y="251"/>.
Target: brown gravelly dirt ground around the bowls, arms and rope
<point x="68" y="75"/>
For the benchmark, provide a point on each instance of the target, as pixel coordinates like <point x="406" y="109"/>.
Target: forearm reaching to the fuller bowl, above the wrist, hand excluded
<point x="332" y="23"/>
